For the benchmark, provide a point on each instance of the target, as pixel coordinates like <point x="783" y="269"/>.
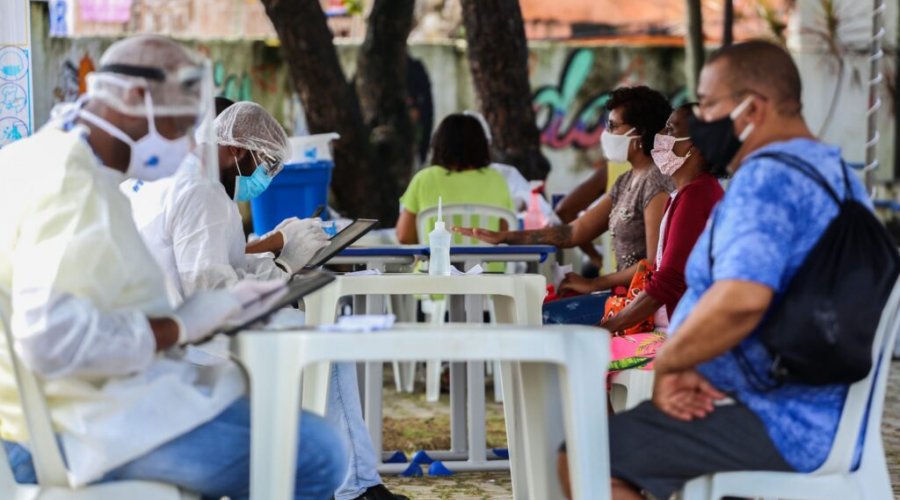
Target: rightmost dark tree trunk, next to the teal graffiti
<point x="498" y="57"/>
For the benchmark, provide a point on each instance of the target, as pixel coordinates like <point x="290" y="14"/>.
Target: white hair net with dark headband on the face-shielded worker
<point x="170" y="73"/>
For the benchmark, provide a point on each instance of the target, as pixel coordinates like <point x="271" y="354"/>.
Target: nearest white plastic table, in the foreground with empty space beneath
<point x="568" y="361"/>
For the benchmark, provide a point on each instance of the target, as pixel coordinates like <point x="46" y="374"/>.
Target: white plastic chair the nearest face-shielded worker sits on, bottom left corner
<point x="52" y="477"/>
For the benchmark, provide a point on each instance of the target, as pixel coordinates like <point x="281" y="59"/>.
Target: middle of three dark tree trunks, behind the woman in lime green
<point x="381" y="87"/>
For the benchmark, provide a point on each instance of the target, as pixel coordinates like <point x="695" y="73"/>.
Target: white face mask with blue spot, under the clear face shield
<point x="152" y="156"/>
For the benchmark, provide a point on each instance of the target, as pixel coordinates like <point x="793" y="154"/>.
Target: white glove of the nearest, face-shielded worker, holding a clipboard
<point x="202" y="313"/>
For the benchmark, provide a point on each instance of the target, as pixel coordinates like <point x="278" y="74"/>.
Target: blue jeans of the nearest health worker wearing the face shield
<point x="214" y="459"/>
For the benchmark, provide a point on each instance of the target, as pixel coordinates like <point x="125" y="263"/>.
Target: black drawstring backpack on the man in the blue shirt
<point x="820" y="331"/>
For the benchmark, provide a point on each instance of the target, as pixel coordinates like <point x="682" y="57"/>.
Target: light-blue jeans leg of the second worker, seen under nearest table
<point x="345" y="414"/>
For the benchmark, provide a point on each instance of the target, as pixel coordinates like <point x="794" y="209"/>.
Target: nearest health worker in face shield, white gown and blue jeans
<point x="88" y="308"/>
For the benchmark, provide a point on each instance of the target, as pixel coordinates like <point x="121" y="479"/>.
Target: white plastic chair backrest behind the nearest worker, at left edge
<point x="45" y="452"/>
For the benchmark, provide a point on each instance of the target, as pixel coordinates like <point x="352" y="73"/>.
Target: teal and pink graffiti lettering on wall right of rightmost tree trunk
<point x="566" y="119"/>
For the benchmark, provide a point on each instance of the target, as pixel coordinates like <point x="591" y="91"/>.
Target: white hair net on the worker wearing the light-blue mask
<point x="249" y="126"/>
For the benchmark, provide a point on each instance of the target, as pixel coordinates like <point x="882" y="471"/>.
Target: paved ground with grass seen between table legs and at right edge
<point x="411" y="424"/>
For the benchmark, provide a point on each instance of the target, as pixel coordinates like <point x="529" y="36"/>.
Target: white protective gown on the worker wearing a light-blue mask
<point x="195" y="232"/>
